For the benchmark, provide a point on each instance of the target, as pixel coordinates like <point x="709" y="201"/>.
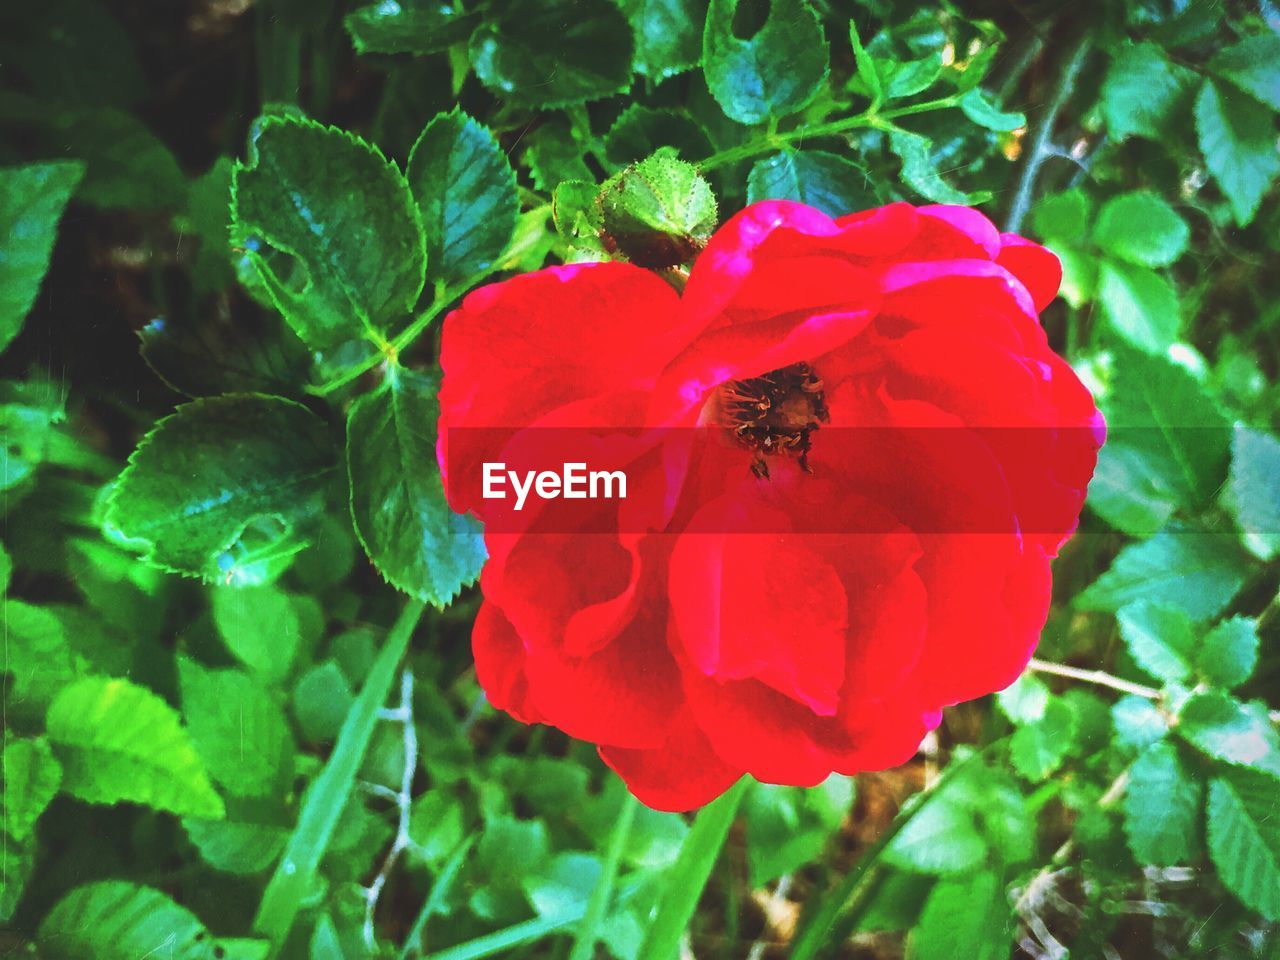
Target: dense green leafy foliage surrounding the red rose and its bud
<point x="240" y="715"/>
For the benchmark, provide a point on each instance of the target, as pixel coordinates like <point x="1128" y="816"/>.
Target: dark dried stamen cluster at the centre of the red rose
<point x="775" y="414"/>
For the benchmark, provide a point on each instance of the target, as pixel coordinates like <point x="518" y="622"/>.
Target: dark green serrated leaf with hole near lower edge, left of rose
<point x="225" y="488"/>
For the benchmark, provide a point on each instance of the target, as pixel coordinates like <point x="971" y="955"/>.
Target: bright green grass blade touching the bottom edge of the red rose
<point x="687" y="880"/>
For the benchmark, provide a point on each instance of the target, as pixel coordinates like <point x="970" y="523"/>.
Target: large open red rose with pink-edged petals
<point x="895" y="456"/>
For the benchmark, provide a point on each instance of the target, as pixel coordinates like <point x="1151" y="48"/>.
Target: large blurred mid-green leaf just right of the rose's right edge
<point x="1173" y="426"/>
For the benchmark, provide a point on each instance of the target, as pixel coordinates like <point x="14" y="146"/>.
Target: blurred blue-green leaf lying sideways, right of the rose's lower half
<point x="1199" y="574"/>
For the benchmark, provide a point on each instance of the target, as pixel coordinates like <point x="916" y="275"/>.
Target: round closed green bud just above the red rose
<point x="657" y="213"/>
